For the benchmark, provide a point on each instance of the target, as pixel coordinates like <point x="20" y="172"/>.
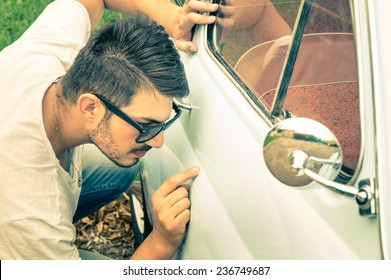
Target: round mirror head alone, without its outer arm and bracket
<point x="296" y="144"/>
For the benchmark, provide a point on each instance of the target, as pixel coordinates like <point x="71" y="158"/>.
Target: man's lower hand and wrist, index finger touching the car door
<point x="171" y="207"/>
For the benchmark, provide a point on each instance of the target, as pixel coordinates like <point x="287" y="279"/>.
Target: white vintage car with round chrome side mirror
<point x="287" y="118"/>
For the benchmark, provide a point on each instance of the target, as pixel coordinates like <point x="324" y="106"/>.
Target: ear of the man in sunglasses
<point x="91" y="109"/>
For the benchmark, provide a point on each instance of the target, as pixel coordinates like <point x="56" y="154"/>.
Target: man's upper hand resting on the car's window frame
<point x="187" y="16"/>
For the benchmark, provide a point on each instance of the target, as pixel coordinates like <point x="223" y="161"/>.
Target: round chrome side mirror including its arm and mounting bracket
<point x="298" y="151"/>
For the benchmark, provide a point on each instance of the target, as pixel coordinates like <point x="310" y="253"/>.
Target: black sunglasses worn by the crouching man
<point x="146" y="132"/>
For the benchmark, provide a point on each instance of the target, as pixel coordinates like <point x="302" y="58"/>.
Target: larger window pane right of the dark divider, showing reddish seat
<point x="324" y="84"/>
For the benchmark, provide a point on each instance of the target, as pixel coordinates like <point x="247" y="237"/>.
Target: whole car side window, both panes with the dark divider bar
<point x="294" y="58"/>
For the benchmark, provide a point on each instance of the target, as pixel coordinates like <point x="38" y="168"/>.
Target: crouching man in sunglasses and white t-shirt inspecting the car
<point x="59" y="93"/>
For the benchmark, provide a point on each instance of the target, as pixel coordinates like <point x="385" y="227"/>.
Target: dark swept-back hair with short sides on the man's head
<point x="123" y="57"/>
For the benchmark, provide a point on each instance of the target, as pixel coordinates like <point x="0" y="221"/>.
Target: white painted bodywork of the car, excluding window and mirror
<point x="239" y="210"/>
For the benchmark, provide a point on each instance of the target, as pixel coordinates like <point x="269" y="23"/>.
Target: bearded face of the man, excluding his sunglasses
<point x="117" y="139"/>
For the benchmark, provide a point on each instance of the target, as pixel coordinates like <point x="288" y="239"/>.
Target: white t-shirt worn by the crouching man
<point x="38" y="198"/>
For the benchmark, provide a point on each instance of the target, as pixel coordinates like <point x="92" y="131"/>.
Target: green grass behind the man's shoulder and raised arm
<point x="17" y="15"/>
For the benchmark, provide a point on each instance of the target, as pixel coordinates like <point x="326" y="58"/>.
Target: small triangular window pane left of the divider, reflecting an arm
<point x="249" y="33"/>
